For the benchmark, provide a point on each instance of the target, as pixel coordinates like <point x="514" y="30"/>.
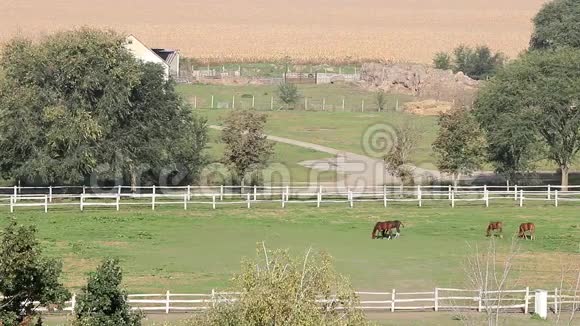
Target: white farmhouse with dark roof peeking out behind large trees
<point x="167" y="58"/>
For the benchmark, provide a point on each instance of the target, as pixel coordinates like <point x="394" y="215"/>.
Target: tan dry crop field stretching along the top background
<point x="305" y="30"/>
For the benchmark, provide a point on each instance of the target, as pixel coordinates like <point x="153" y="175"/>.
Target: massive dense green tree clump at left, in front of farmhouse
<point x="78" y="102"/>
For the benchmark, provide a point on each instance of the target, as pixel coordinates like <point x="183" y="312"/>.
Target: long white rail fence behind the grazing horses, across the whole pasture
<point x="316" y="195"/>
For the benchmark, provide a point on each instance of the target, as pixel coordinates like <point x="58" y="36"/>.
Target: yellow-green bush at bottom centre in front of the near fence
<point x="278" y="289"/>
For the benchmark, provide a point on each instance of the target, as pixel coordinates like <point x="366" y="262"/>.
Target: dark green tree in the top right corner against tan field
<point x="557" y="25"/>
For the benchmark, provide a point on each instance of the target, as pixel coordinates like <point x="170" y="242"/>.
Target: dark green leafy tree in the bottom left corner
<point x="26" y="276"/>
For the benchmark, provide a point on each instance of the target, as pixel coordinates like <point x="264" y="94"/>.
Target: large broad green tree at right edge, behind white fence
<point x="530" y="109"/>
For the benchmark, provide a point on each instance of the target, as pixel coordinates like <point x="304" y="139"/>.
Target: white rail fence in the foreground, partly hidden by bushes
<point x="439" y="299"/>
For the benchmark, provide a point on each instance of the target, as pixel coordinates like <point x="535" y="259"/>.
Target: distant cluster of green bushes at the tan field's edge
<point x="478" y="63"/>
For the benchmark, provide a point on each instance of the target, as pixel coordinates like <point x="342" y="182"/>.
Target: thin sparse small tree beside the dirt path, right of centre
<point x="398" y="158"/>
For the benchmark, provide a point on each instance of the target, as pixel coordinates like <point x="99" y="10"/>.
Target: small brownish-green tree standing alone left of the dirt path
<point x="247" y="149"/>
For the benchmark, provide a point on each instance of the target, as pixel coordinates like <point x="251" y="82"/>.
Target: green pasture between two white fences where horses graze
<point x="199" y="249"/>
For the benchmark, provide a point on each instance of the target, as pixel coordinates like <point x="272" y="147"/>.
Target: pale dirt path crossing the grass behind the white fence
<point x="359" y="170"/>
